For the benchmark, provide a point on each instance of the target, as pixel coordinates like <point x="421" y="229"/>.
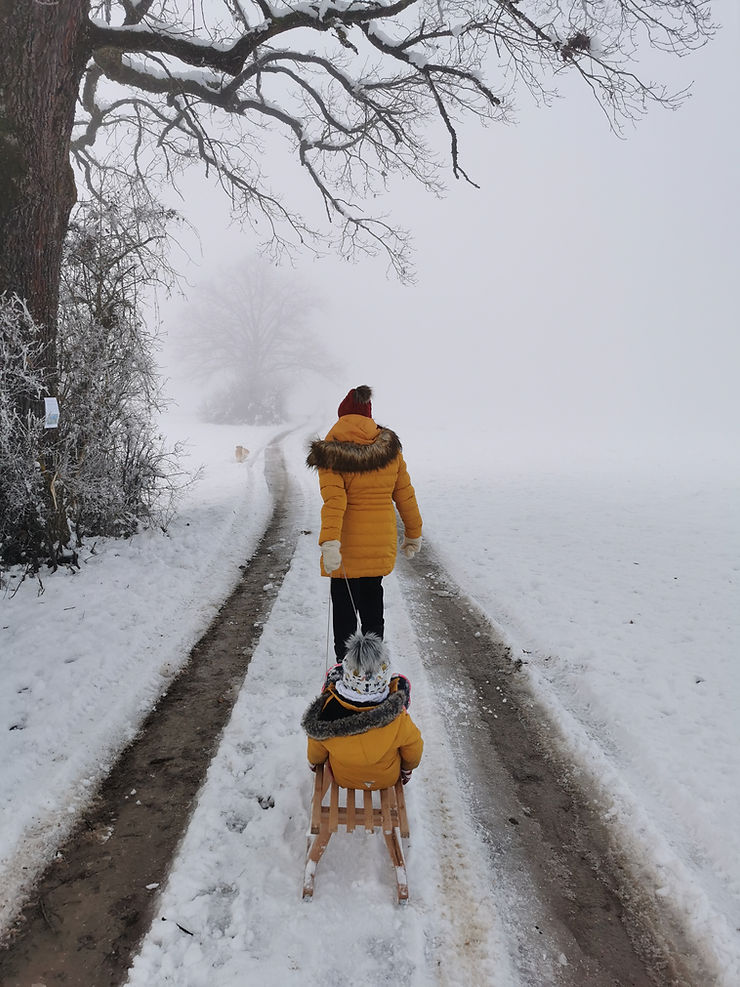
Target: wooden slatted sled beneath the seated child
<point x="385" y="811"/>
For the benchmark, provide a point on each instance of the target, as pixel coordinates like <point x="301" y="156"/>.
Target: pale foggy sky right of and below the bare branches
<point x="590" y="283"/>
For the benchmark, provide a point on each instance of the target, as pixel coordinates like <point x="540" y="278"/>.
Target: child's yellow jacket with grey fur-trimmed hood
<point x="366" y="746"/>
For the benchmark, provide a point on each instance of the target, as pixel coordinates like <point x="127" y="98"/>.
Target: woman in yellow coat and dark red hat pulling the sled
<point x="362" y="474"/>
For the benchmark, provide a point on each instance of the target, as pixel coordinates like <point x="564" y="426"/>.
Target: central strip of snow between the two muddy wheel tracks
<point x="236" y="883"/>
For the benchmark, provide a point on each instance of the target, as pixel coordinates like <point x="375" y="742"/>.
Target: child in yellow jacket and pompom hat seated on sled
<point x="360" y="722"/>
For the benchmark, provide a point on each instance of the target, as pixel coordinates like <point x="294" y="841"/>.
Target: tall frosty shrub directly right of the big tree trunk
<point x="118" y="471"/>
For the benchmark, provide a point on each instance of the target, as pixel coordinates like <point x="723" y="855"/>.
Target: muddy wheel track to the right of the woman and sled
<point x="573" y="914"/>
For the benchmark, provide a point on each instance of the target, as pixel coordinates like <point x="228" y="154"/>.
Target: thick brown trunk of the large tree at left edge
<point x="42" y="58"/>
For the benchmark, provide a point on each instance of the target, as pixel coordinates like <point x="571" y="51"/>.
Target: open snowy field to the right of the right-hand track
<point x="614" y="573"/>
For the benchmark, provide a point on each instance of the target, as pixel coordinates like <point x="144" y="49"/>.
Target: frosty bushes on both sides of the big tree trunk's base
<point x="106" y="469"/>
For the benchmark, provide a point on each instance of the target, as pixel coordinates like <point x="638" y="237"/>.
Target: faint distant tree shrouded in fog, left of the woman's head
<point x="248" y="339"/>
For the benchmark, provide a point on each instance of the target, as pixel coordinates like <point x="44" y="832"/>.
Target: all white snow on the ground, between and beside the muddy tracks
<point x="612" y="574"/>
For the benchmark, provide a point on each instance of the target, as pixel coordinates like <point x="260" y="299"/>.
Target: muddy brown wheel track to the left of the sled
<point x="95" y="902"/>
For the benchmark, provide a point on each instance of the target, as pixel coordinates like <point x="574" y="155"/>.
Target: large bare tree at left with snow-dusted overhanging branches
<point x="350" y="87"/>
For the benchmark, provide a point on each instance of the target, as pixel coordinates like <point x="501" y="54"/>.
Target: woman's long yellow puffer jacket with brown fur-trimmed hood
<point x="362" y="474"/>
